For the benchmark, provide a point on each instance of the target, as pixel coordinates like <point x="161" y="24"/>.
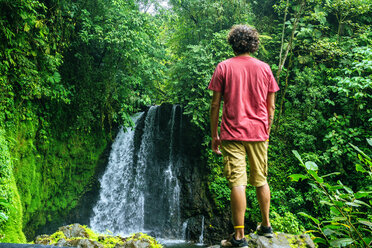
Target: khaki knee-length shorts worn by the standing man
<point x="234" y="155"/>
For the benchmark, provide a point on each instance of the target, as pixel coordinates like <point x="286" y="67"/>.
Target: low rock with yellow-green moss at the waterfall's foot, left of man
<point x="80" y="236"/>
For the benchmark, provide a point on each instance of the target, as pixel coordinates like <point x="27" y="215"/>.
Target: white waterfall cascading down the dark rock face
<point x="140" y="191"/>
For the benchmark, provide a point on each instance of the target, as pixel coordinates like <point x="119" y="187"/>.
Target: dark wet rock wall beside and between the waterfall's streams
<point x="192" y="173"/>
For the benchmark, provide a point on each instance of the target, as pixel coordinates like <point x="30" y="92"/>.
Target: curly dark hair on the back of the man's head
<point x="243" y="39"/>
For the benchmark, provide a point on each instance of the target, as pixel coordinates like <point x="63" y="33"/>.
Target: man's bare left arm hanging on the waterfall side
<point x="214" y="117"/>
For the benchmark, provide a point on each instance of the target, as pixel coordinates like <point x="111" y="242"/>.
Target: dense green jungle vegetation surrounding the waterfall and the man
<point x="71" y="71"/>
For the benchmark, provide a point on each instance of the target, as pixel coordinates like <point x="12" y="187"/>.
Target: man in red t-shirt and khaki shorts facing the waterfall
<point x="248" y="88"/>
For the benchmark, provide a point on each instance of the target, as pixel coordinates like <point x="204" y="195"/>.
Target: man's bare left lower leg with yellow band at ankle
<point x="238" y="206"/>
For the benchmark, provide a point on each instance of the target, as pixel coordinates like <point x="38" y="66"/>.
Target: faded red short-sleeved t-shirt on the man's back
<point x="244" y="82"/>
